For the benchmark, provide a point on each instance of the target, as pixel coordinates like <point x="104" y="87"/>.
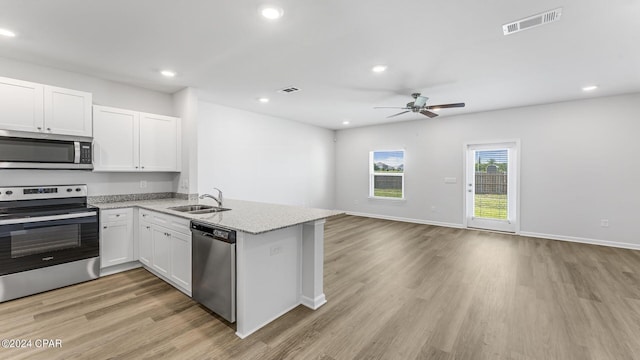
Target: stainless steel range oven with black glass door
<point x="49" y="238"/>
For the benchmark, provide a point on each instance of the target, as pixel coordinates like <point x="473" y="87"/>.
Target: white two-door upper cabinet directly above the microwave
<point x="31" y="107"/>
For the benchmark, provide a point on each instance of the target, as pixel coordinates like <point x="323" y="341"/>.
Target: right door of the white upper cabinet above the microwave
<point x="67" y="112"/>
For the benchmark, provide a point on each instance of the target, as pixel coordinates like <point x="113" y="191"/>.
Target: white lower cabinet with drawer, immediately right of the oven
<point x="116" y="237"/>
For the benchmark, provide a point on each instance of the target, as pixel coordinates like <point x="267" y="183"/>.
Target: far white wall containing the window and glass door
<point x="577" y="167"/>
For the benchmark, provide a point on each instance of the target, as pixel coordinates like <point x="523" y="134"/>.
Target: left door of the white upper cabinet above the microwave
<point x="21" y="105"/>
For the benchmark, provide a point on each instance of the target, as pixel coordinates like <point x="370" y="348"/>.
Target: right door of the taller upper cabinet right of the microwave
<point x="159" y="143"/>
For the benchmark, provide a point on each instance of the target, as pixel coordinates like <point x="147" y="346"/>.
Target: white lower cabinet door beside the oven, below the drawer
<point x="116" y="243"/>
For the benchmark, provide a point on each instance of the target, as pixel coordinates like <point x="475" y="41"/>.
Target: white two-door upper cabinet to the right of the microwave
<point x="125" y="140"/>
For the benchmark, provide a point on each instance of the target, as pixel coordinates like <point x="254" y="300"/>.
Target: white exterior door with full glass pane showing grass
<point x="491" y="186"/>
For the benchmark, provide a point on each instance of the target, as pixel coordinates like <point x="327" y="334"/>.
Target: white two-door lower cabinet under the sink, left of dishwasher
<point x="165" y="247"/>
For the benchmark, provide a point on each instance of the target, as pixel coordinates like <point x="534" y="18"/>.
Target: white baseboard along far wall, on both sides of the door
<point x="521" y="233"/>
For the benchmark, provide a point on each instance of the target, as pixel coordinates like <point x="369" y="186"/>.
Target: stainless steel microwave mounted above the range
<point x="20" y="150"/>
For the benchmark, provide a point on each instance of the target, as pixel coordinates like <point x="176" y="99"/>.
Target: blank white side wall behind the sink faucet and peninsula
<point x="262" y="158"/>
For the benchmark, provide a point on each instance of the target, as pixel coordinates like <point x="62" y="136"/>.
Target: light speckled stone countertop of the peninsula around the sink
<point x="246" y="216"/>
